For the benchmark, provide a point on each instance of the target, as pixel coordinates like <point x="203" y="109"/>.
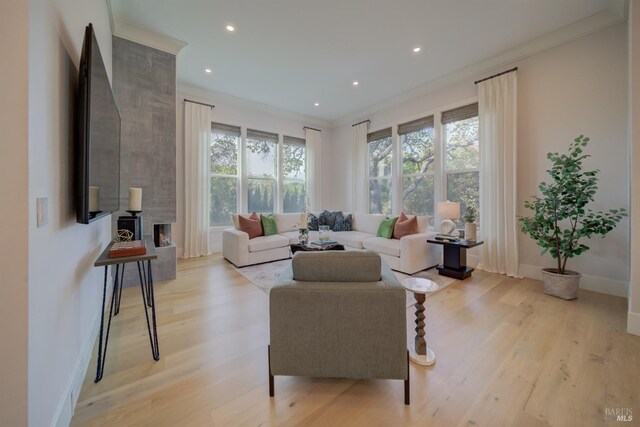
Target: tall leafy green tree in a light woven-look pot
<point x="560" y="219"/>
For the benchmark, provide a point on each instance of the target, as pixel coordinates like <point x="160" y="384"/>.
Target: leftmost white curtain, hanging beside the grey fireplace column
<point x="197" y="142"/>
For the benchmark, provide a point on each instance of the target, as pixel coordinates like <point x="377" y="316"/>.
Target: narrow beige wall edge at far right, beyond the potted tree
<point x="633" y="322"/>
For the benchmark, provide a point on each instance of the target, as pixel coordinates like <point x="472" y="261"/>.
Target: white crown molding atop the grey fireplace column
<point x="121" y="28"/>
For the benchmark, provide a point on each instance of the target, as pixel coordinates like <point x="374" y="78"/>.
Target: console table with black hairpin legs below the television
<point x="148" y="300"/>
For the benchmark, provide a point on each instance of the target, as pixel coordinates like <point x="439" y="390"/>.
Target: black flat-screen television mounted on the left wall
<point x="98" y="138"/>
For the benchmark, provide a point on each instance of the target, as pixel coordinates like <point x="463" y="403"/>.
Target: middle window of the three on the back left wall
<point x="262" y="170"/>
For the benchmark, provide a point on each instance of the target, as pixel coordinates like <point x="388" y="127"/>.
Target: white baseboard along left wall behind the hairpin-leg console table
<point x="69" y="398"/>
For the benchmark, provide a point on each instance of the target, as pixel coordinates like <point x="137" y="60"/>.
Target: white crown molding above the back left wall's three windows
<point x="214" y="97"/>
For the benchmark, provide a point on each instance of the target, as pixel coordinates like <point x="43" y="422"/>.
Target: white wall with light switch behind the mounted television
<point x="64" y="287"/>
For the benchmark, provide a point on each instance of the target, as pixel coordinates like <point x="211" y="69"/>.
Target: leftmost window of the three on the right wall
<point x="380" y="161"/>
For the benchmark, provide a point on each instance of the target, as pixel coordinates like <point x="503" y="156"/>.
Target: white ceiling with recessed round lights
<point x="291" y="54"/>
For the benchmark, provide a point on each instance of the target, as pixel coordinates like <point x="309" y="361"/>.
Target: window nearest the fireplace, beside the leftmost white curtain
<point x="225" y="141"/>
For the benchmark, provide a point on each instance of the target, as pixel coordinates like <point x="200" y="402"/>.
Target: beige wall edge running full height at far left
<point x="13" y="212"/>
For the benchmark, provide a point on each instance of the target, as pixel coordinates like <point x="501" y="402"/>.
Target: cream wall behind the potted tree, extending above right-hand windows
<point x="575" y="88"/>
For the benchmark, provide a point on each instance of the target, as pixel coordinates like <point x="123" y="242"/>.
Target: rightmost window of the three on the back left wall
<point x="294" y="174"/>
